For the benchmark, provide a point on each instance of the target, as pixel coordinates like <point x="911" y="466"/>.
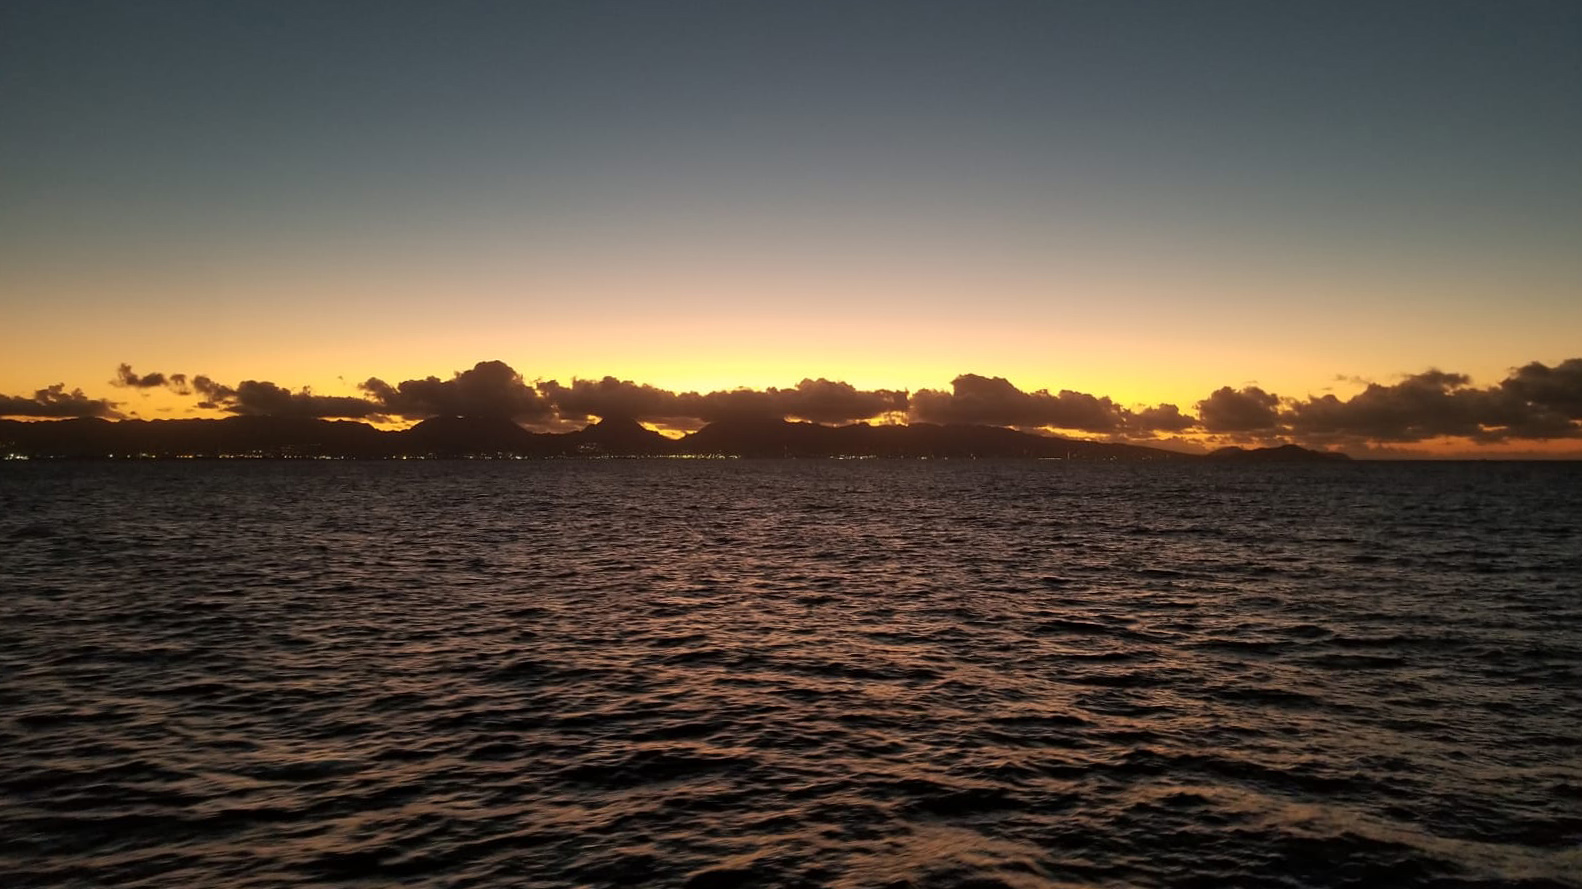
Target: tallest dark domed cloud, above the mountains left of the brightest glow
<point x="491" y="388"/>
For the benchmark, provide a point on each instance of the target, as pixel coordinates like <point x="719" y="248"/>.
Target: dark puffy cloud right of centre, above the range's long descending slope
<point x="994" y="401"/>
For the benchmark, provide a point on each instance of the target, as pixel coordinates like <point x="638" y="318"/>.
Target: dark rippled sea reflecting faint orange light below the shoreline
<point x="850" y="675"/>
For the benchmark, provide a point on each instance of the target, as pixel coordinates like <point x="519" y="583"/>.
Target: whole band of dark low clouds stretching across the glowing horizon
<point x="1535" y="403"/>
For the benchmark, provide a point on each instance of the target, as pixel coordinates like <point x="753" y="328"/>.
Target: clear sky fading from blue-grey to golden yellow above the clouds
<point x="1140" y="203"/>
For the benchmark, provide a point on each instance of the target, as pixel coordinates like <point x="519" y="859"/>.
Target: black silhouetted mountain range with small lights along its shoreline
<point x="494" y="437"/>
